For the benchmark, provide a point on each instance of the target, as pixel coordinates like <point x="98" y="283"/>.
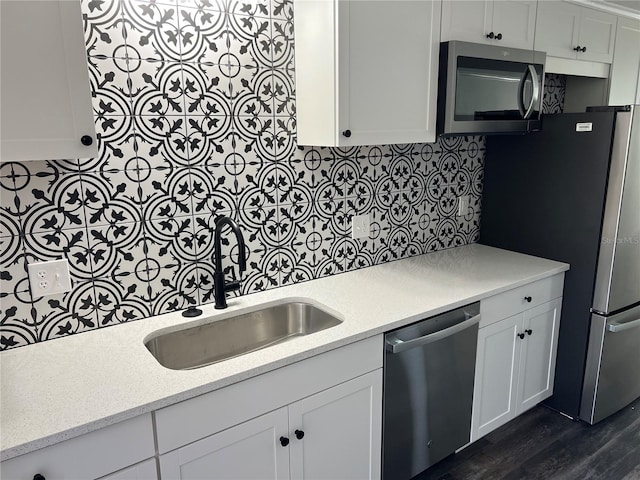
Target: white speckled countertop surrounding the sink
<point x="63" y="388"/>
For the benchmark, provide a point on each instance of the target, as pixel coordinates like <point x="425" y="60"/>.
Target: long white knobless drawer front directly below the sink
<point x="199" y="417"/>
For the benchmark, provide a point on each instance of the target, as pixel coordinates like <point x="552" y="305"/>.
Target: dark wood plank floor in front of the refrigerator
<point x="542" y="444"/>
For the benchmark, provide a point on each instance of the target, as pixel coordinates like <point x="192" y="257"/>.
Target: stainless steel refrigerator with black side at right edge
<point x="571" y="192"/>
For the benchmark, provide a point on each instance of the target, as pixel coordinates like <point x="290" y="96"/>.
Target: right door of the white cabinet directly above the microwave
<point x="515" y="21"/>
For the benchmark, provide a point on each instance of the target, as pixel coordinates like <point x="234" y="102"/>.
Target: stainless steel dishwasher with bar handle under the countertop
<point x="429" y="367"/>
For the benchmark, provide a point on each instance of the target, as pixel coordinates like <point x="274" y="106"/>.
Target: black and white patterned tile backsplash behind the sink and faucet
<point x="194" y="106"/>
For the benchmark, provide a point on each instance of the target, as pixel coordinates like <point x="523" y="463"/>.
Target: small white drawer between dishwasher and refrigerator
<point x="515" y="301"/>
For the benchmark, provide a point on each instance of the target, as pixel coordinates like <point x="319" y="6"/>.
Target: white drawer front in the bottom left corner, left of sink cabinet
<point x="88" y="456"/>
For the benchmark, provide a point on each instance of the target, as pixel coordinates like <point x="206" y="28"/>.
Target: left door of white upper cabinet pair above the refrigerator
<point x="557" y="28"/>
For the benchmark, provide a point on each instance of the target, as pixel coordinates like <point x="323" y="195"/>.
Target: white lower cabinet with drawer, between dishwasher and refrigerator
<point x="515" y="363"/>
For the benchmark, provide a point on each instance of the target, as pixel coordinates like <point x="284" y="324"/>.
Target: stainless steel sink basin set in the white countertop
<point x="208" y="343"/>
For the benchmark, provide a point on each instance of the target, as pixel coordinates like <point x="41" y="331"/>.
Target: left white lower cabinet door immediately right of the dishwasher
<point x="498" y="357"/>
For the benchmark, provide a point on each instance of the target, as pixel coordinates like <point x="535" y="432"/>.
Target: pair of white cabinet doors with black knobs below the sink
<point x="333" y="434"/>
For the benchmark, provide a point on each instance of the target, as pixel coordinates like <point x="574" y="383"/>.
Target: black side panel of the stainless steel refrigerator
<point x="544" y="195"/>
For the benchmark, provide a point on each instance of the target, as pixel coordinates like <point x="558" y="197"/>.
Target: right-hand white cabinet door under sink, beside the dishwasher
<point x="342" y="431"/>
